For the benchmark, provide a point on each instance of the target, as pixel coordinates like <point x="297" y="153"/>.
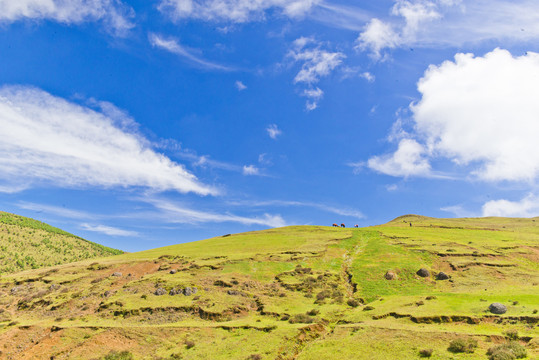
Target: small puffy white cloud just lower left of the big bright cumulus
<point x="408" y="160"/>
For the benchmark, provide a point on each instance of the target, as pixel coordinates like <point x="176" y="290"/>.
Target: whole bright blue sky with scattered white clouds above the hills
<point x="140" y="124"/>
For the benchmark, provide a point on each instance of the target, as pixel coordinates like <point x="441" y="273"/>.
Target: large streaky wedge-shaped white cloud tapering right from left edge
<point x="48" y="139"/>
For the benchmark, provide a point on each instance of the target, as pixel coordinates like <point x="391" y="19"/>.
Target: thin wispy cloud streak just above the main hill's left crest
<point x="175" y="213"/>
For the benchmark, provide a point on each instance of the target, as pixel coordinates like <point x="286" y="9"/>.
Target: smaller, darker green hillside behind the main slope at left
<point x="30" y="244"/>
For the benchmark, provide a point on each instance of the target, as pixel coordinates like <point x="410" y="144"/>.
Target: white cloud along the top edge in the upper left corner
<point x="113" y="13"/>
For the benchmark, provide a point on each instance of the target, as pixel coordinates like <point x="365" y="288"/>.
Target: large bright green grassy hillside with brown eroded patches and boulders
<point x="302" y="292"/>
